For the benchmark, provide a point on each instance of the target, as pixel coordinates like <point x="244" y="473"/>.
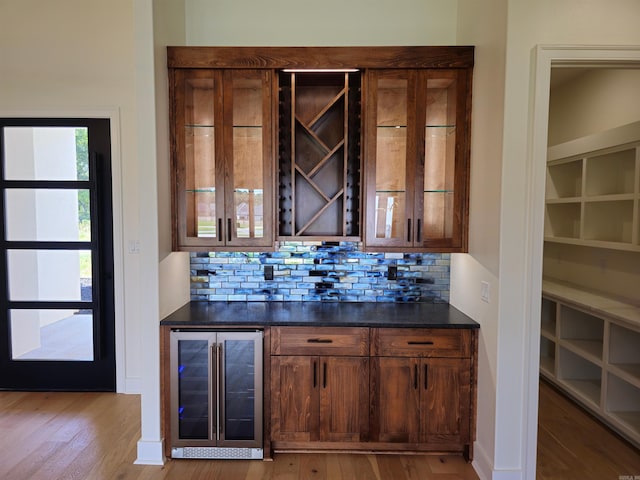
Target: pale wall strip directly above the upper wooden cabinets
<point x="330" y="22"/>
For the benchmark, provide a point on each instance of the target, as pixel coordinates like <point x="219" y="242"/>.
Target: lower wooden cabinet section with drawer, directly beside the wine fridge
<point x="319" y="385"/>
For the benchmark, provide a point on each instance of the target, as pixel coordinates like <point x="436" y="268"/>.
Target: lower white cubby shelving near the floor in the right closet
<point x="590" y="348"/>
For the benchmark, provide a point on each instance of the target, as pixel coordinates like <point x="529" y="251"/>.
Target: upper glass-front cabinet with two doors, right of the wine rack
<point x="417" y="159"/>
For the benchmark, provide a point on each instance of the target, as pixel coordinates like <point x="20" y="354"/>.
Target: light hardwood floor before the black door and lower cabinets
<point x="87" y="436"/>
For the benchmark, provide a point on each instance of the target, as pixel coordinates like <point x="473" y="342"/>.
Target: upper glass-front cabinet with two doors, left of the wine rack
<point x="222" y="156"/>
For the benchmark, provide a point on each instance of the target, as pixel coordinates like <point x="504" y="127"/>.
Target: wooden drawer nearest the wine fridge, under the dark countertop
<point x="320" y="341"/>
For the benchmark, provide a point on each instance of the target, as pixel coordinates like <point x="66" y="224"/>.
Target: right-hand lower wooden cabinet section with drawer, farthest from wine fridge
<point x="420" y="395"/>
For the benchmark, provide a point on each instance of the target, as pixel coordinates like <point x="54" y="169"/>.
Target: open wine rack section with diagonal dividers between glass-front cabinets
<point x="319" y="155"/>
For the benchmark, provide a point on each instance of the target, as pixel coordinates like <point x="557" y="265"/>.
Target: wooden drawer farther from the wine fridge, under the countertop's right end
<point x="421" y="342"/>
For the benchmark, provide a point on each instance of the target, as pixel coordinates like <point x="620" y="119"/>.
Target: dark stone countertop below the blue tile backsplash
<point x="321" y="314"/>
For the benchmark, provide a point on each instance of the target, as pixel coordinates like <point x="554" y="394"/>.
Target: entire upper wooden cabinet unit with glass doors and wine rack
<point x="376" y="151"/>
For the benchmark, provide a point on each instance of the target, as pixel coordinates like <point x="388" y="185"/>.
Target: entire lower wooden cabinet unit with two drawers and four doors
<point x="373" y="389"/>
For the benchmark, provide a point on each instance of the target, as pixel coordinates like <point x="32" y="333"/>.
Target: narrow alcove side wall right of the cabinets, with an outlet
<point x="484" y="25"/>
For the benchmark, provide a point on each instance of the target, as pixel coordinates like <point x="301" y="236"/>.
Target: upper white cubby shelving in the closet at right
<point x="593" y="190"/>
